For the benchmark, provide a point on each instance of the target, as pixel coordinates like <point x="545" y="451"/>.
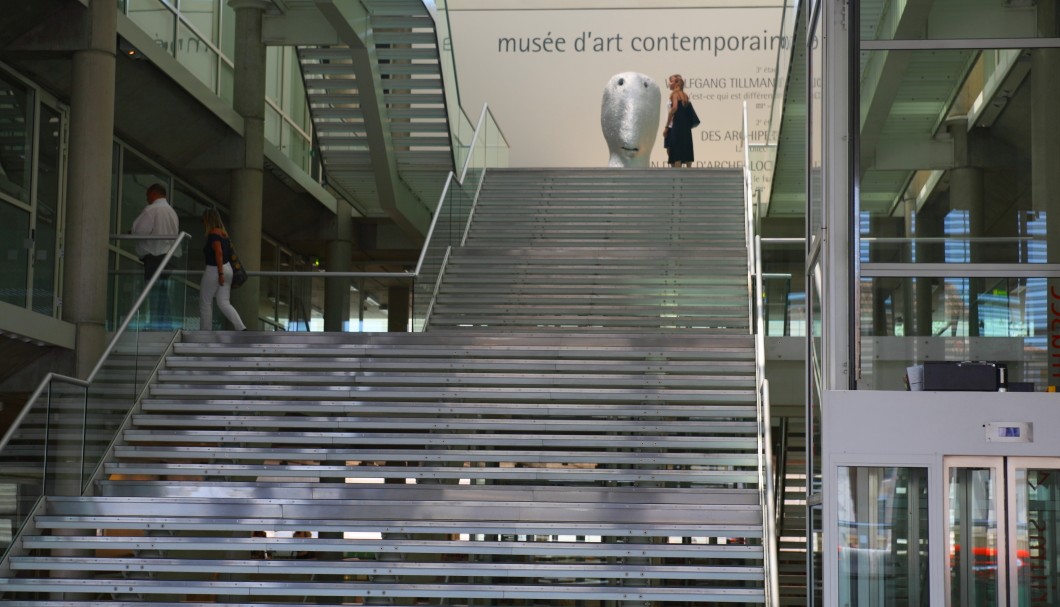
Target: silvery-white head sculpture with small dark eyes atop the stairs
<point x="630" y="118"/>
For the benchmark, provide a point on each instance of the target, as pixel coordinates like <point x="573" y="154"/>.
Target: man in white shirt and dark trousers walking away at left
<point x="158" y="219"/>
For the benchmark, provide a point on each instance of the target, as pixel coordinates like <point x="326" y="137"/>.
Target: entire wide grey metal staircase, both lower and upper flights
<point x="580" y="429"/>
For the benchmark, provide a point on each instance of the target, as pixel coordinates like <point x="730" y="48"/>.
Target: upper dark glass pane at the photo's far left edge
<point x="16" y="147"/>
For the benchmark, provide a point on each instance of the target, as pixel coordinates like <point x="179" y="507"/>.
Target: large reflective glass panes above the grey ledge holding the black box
<point x="952" y="174"/>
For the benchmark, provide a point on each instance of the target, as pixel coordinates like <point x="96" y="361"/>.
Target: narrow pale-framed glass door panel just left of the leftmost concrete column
<point x="47" y="216"/>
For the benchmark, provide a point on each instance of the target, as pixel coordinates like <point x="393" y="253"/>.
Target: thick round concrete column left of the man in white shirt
<point x="89" y="186"/>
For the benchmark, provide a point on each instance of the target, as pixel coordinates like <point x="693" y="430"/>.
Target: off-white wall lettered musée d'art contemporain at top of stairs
<point x="547" y="97"/>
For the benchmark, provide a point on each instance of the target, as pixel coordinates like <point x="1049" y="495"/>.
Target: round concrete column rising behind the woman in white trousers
<point x="246" y="190"/>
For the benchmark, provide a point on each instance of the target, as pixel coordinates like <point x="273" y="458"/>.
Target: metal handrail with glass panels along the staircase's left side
<point x="56" y="445"/>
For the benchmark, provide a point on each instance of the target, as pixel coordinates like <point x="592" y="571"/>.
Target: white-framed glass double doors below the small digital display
<point x="1002" y="532"/>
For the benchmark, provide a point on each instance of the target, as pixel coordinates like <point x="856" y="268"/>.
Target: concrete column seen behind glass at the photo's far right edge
<point x="1045" y="159"/>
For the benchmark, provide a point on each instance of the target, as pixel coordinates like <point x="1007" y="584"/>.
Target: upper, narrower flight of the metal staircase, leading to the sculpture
<point x="603" y="251"/>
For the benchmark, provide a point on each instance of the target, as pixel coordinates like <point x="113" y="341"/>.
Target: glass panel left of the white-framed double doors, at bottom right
<point x="884" y="540"/>
